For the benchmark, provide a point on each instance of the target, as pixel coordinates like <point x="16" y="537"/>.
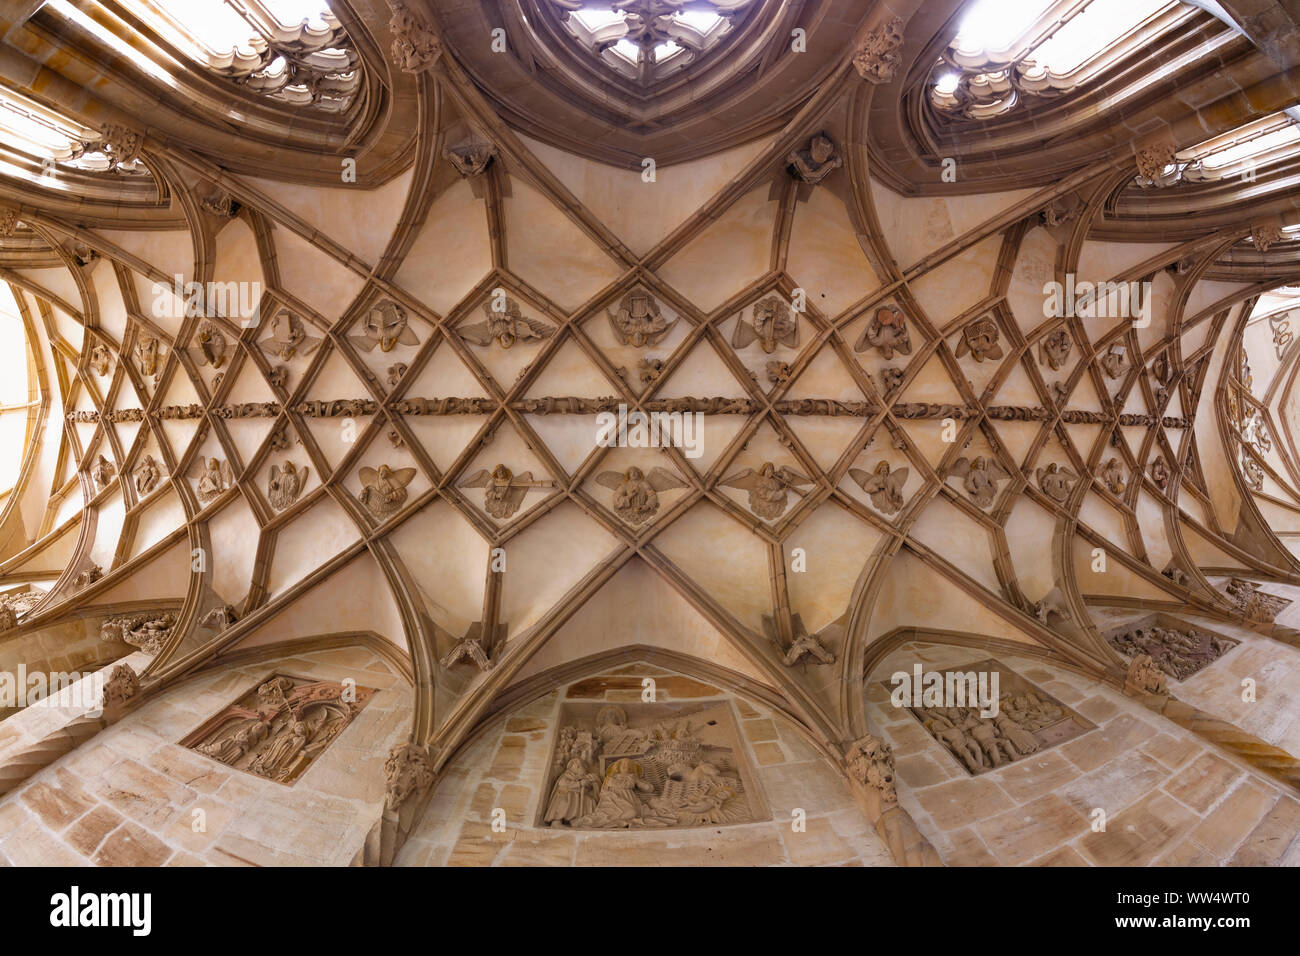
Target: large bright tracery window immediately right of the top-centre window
<point x="1008" y="53"/>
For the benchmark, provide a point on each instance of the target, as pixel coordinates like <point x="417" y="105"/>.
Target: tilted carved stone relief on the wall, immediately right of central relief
<point x="1026" y="720"/>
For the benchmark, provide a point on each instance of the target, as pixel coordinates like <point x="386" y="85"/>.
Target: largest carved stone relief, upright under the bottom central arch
<point x="649" y="767"/>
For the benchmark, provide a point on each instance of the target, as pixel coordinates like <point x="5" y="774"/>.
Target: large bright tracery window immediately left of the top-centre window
<point x="293" y="51"/>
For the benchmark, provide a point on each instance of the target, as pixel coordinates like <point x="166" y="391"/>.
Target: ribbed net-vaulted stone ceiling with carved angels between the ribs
<point x="896" y="435"/>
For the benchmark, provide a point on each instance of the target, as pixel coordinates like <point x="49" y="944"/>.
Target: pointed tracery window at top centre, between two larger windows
<point x="651" y="40"/>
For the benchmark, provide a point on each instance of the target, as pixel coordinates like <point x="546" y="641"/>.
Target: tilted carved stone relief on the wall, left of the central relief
<point x="281" y="726"/>
